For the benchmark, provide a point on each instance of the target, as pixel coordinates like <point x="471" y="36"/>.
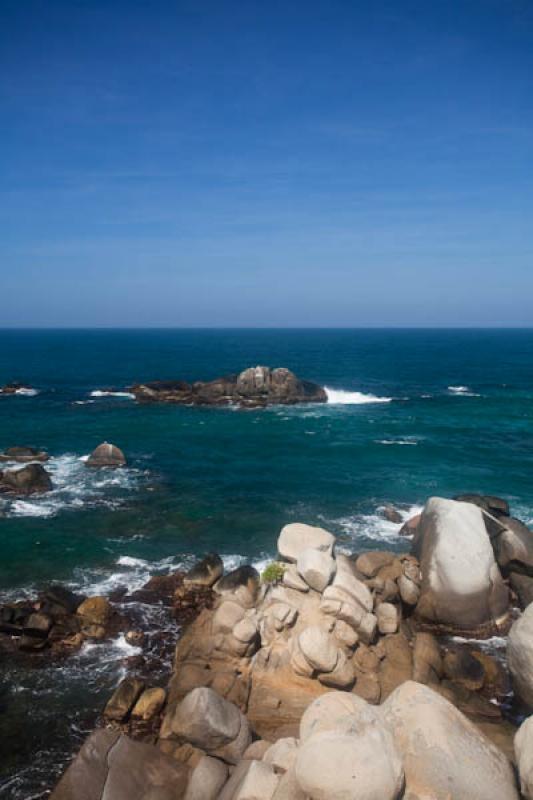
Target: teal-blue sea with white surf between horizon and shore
<point x="411" y="413"/>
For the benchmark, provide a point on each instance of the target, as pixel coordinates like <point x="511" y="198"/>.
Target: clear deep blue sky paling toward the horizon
<point x="266" y="163"/>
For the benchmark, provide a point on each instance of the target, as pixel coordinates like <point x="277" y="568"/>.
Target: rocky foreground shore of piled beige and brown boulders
<point x="335" y="675"/>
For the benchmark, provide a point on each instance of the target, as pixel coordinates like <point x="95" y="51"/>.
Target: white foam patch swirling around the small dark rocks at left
<point x="75" y="486"/>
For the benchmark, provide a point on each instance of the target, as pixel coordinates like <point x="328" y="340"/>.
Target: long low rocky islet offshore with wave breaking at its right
<point x="254" y="387"/>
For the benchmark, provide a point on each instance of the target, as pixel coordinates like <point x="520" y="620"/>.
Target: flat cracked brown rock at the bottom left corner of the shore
<point x="115" y="767"/>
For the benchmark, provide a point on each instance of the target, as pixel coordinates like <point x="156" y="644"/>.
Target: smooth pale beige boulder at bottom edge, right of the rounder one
<point x="444" y="754"/>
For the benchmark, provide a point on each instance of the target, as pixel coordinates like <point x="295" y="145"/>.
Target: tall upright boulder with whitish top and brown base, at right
<point x="462" y="588"/>
